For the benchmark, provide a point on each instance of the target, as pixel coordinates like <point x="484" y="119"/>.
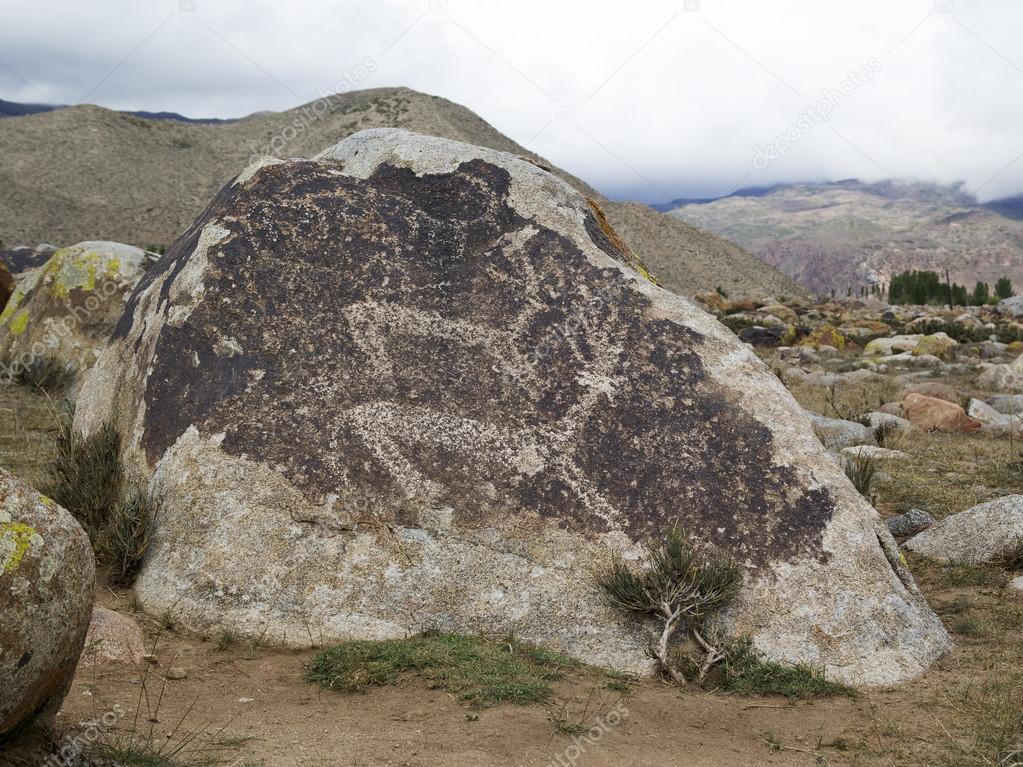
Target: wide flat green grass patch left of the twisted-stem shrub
<point x="478" y="671"/>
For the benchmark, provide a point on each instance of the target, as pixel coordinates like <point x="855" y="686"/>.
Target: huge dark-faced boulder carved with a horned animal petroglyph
<point x="420" y="384"/>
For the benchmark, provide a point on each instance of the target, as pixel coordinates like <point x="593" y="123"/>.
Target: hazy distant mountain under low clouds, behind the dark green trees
<point x="850" y="234"/>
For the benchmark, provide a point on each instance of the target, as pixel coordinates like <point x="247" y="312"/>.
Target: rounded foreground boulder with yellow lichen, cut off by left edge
<point x="47" y="584"/>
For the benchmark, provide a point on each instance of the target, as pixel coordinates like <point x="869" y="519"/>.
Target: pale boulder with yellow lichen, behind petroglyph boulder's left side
<point x="67" y="309"/>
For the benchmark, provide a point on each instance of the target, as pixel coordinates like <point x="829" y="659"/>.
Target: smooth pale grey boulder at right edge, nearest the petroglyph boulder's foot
<point x="982" y="534"/>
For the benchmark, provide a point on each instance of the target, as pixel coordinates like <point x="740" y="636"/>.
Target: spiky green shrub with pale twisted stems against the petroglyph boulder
<point x="681" y="588"/>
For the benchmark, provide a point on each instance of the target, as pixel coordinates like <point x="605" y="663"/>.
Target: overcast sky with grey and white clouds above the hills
<point x="646" y="100"/>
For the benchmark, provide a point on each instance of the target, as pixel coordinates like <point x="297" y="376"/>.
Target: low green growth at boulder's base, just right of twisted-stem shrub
<point x="746" y="672"/>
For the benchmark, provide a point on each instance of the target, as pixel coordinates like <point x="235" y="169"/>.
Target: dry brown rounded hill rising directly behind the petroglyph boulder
<point x="87" y="173"/>
